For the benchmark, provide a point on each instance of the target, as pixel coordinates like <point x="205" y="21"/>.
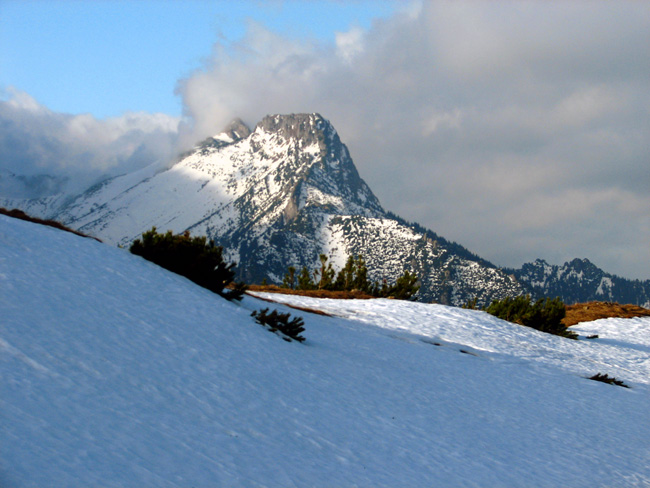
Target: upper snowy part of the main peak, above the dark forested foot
<point x="227" y="186"/>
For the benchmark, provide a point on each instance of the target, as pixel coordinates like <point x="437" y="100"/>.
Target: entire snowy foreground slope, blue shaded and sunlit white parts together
<point x="115" y="372"/>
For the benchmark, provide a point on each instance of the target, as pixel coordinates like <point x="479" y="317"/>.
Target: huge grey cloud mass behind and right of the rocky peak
<point x="516" y="128"/>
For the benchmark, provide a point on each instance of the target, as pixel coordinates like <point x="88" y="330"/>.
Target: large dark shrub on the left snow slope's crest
<point x="196" y="258"/>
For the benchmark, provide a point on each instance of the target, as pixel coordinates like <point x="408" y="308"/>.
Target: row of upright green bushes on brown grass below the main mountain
<point x="353" y="276"/>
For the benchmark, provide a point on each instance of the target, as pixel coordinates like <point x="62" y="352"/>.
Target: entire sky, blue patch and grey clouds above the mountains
<point x="517" y="129"/>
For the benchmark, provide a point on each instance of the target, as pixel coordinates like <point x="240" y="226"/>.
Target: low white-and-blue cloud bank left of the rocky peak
<point x="79" y="148"/>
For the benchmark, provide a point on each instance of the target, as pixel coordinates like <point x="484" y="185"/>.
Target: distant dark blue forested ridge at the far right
<point x="581" y="281"/>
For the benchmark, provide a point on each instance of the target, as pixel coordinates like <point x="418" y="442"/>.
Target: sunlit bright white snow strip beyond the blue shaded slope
<point x="623" y="347"/>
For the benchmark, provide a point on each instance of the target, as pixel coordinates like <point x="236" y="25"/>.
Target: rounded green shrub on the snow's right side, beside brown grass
<point x="545" y="314"/>
